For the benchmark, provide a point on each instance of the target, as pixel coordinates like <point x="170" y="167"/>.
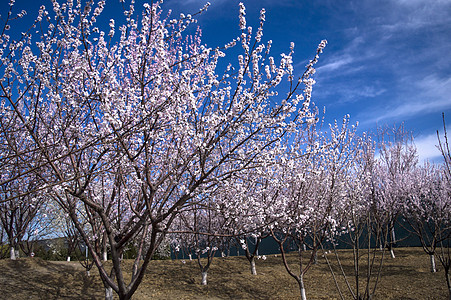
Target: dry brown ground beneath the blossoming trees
<point x="406" y="277"/>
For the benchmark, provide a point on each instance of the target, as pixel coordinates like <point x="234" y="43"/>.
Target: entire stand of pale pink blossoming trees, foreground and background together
<point x="135" y="133"/>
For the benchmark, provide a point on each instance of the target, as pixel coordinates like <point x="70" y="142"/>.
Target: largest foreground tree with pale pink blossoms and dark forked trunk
<point x="140" y="110"/>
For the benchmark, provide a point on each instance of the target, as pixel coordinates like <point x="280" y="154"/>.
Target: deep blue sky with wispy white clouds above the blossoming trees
<point x="387" y="61"/>
